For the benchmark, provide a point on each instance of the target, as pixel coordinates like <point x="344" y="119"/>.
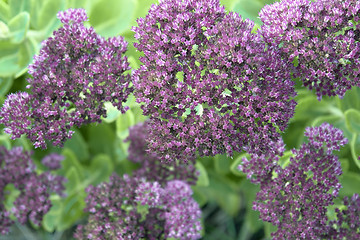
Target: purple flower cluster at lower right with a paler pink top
<point x="296" y="197"/>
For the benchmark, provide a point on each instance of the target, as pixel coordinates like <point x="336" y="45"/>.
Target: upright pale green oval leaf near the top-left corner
<point x="19" y="26"/>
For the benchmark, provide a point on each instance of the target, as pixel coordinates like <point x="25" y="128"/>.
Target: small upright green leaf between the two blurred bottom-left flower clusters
<point x="51" y="218"/>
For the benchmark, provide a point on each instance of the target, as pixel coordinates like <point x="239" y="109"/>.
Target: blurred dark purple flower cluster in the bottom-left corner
<point x="32" y="203"/>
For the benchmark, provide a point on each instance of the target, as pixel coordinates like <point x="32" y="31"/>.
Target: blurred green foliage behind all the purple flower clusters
<point x="95" y="151"/>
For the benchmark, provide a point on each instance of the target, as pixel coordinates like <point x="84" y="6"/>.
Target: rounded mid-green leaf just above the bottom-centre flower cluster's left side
<point x="101" y="168"/>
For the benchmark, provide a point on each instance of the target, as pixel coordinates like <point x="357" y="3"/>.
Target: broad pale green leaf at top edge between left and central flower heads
<point x="111" y="17"/>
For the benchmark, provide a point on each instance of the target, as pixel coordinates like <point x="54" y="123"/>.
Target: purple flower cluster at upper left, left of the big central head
<point x="75" y="73"/>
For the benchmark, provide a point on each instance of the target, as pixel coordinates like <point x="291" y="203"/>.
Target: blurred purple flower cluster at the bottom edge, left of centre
<point x="132" y="208"/>
